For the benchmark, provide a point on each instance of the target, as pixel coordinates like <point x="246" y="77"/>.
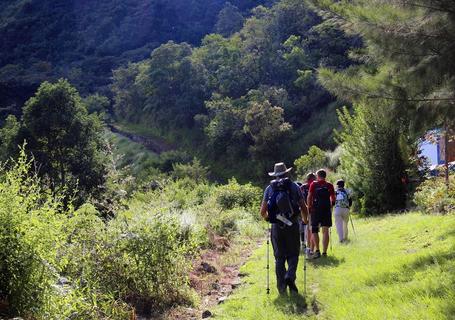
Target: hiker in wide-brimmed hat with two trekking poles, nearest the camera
<point x="283" y="206"/>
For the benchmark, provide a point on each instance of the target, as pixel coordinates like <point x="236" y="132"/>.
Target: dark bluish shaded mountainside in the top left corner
<point x="84" y="40"/>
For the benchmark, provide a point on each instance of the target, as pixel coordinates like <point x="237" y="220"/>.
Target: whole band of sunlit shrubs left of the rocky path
<point x="59" y="262"/>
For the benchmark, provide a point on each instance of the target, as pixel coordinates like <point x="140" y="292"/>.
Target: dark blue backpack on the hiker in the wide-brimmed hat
<point x="280" y="203"/>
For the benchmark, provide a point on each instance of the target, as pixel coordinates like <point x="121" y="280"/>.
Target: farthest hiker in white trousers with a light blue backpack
<point x="343" y="202"/>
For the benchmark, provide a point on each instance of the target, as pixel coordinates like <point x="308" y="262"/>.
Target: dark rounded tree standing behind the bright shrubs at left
<point x="64" y="140"/>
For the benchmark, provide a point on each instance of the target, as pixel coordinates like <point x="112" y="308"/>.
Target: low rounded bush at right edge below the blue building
<point x="432" y="195"/>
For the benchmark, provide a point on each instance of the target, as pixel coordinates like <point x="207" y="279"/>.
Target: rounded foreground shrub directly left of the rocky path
<point x="145" y="260"/>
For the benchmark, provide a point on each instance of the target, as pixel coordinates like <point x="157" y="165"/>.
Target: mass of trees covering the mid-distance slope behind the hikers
<point x="245" y="92"/>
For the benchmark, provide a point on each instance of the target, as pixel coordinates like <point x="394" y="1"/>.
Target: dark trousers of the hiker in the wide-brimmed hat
<point x="286" y="248"/>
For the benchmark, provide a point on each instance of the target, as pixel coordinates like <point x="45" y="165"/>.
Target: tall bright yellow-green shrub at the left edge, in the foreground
<point x="30" y="237"/>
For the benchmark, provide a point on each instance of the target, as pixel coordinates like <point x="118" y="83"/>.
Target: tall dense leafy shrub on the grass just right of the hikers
<point x="371" y="159"/>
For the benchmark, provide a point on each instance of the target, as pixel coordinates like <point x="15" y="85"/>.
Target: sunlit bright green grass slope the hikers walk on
<point x="398" y="267"/>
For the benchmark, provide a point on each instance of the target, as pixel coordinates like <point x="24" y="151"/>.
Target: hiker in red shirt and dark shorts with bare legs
<point x="321" y="198"/>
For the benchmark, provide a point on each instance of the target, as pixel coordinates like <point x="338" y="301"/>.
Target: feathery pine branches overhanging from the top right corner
<point x="399" y="63"/>
